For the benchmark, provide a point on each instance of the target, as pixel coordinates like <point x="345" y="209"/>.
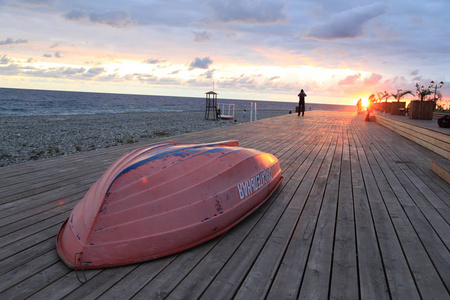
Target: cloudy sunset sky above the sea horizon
<point x="337" y="51"/>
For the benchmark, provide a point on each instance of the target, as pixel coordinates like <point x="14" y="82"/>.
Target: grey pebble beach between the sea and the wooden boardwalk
<point x="24" y="139"/>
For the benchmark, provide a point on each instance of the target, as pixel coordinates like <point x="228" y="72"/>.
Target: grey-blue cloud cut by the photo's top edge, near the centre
<point x="247" y="11"/>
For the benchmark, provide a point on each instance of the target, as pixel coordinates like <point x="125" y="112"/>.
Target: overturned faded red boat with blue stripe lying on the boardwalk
<point x="165" y="198"/>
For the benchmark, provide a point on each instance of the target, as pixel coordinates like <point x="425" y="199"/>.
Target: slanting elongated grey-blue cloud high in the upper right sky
<point x="346" y="25"/>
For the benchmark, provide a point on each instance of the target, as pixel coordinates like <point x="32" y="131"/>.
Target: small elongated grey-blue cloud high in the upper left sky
<point x="113" y="18"/>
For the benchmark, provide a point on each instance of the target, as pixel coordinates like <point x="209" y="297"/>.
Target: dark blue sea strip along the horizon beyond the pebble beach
<point x="27" y="102"/>
